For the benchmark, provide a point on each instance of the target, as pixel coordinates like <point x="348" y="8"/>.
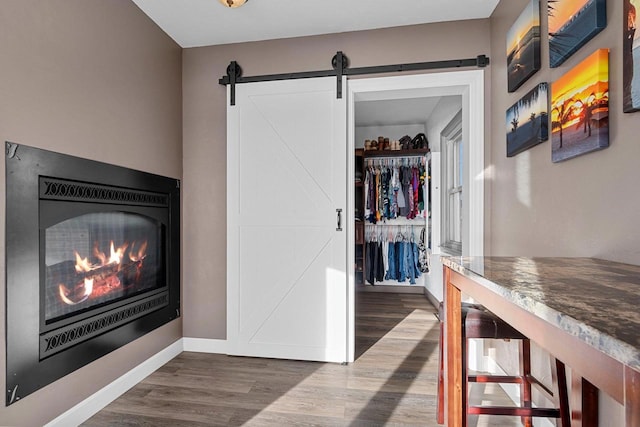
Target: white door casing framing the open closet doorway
<point x="469" y="84"/>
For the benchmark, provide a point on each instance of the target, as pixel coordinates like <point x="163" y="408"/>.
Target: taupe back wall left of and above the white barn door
<point x="204" y="149"/>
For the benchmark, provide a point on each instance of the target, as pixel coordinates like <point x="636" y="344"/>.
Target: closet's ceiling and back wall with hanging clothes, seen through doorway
<point x="396" y="201"/>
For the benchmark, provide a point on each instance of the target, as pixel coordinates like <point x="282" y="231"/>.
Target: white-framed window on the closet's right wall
<point x="452" y="158"/>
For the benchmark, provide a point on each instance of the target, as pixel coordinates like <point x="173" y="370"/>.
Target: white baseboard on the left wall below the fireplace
<point x="98" y="400"/>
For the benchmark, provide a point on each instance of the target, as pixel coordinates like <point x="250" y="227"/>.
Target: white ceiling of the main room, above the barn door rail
<point x="194" y="23"/>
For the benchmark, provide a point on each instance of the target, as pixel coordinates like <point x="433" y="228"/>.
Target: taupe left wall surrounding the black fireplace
<point x="95" y="79"/>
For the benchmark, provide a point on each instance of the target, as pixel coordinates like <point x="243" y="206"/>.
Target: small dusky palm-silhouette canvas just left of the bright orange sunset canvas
<point x="528" y="121"/>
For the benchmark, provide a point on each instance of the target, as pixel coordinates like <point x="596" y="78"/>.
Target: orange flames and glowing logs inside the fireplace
<point x="95" y="280"/>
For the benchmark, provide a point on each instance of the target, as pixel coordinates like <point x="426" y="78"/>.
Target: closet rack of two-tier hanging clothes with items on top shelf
<point x="393" y="215"/>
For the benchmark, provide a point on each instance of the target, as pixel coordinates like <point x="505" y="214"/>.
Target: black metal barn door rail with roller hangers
<point x="340" y="64"/>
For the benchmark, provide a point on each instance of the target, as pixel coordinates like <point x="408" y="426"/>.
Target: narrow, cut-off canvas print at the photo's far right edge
<point x="631" y="58"/>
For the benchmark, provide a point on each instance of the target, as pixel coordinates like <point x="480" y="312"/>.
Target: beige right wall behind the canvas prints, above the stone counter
<point x="586" y="206"/>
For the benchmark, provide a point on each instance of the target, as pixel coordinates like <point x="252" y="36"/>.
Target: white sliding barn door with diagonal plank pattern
<point x="286" y="260"/>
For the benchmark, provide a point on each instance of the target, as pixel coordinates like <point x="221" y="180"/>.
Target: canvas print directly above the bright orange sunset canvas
<point x="572" y="23"/>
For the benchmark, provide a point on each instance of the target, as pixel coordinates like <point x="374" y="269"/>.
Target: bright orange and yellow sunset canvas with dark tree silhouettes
<point x="580" y="108"/>
